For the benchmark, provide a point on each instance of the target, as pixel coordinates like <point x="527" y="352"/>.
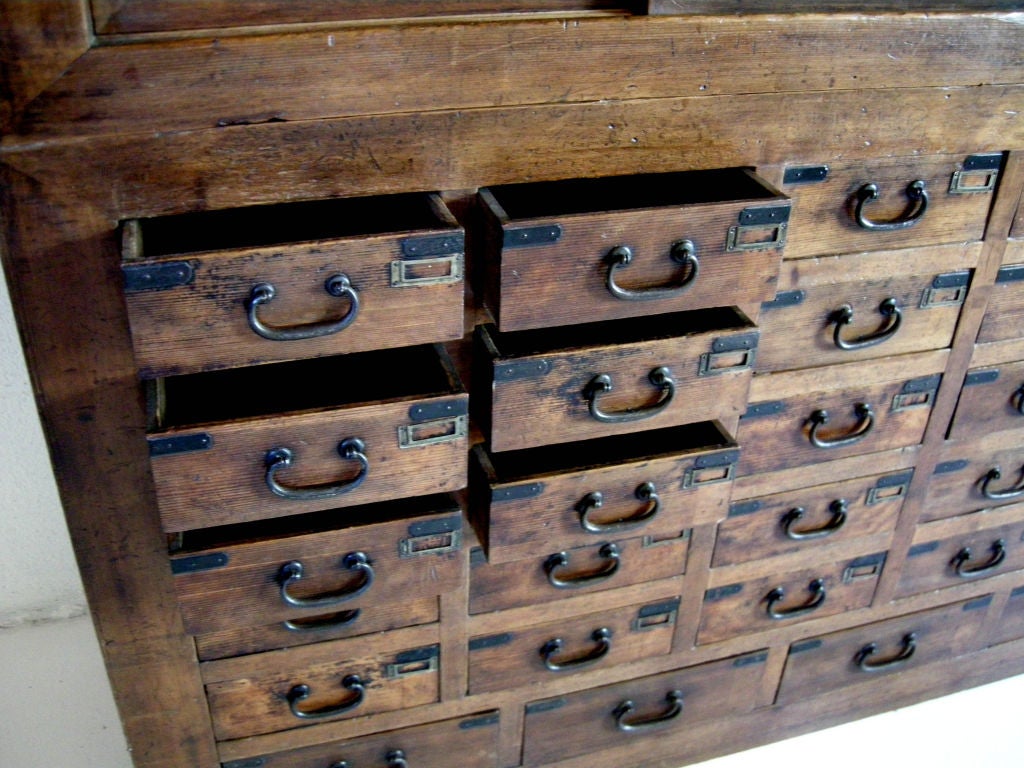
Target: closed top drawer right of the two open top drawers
<point x="917" y="201"/>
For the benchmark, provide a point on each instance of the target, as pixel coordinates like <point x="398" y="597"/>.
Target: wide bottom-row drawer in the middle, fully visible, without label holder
<point x="638" y="710"/>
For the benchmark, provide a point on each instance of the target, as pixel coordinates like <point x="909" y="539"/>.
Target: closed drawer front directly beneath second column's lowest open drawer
<point x="574" y="572"/>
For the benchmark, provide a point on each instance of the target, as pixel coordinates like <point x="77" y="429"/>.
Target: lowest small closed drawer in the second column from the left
<point x="572" y="646"/>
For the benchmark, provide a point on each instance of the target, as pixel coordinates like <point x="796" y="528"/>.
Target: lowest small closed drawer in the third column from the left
<point x="765" y="603"/>
